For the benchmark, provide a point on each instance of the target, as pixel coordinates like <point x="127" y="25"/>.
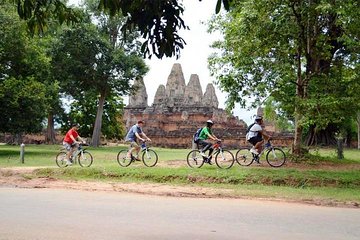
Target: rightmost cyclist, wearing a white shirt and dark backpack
<point x="256" y="134"/>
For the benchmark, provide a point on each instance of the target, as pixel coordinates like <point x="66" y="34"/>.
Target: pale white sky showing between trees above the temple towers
<point x="193" y="57"/>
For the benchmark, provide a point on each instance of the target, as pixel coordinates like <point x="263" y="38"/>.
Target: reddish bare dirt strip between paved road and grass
<point x="19" y="178"/>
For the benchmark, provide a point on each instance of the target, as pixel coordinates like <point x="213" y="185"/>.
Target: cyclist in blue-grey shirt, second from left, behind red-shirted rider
<point x="133" y="136"/>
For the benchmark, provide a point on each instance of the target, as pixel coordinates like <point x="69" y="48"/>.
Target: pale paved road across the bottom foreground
<point x="73" y="214"/>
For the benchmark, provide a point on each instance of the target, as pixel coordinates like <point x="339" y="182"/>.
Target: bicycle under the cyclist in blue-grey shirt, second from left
<point x="149" y="157"/>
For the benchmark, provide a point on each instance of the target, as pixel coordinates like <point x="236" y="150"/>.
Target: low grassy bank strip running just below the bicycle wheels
<point x="267" y="177"/>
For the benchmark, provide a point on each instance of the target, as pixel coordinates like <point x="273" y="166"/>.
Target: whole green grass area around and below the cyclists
<point x="320" y="176"/>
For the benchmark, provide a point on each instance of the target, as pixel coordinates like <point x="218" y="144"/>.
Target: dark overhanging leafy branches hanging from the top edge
<point x="158" y="21"/>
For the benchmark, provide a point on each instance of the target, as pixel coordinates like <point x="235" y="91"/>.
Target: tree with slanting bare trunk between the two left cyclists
<point x="87" y="63"/>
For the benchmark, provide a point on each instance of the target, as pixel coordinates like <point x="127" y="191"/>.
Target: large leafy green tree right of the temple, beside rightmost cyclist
<point x="299" y="52"/>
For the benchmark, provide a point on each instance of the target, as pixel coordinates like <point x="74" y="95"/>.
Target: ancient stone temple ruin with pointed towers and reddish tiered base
<point x="179" y="109"/>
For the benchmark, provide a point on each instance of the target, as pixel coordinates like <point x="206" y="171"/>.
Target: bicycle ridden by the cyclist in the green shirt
<point x="223" y="158"/>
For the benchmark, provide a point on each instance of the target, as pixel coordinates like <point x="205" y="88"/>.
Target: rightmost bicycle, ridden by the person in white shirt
<point x="275" y="156"/>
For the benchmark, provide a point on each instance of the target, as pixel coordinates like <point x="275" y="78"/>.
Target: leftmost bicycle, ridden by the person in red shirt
<point x="80" y="155"/>
